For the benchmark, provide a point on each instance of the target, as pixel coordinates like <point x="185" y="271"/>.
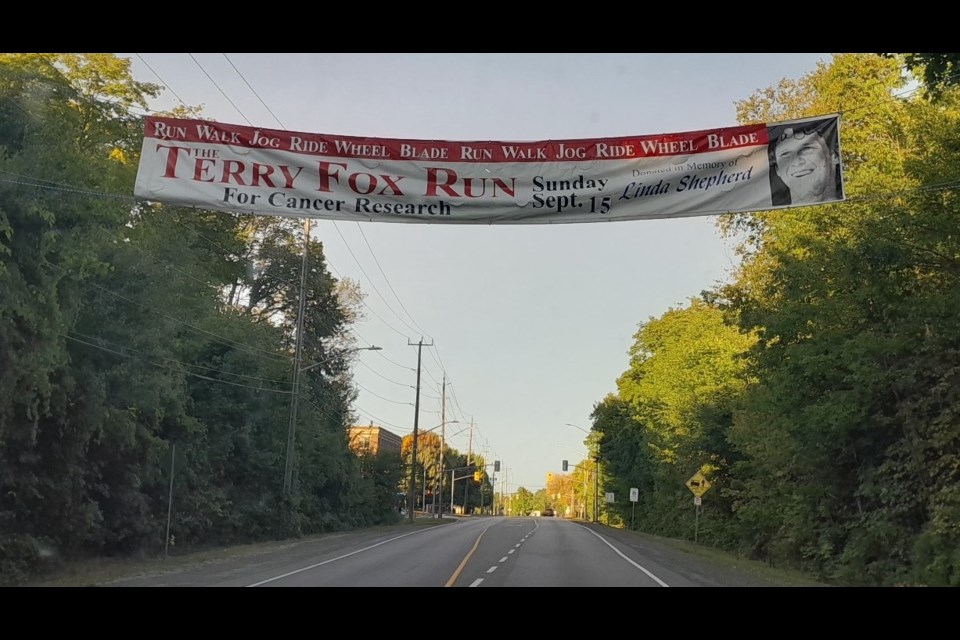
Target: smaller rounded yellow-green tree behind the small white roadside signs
<point x="687" y="372"/>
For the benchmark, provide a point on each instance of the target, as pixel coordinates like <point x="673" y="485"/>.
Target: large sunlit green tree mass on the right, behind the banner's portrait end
<point x="852" y="304"/>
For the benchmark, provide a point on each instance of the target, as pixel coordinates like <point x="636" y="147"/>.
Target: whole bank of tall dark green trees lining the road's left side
<point x="132" y="328"/>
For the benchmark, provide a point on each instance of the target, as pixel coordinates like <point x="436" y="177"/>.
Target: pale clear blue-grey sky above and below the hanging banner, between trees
<point x="531" y="324"/>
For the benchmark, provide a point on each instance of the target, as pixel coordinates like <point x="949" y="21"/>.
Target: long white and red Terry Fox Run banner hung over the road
<point x="212" y="165"/>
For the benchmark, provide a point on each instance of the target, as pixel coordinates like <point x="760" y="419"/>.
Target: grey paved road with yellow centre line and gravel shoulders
<point x="467" y="552"/>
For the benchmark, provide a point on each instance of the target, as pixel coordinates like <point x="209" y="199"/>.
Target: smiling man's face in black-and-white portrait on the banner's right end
<point x="804" y="164"/>
